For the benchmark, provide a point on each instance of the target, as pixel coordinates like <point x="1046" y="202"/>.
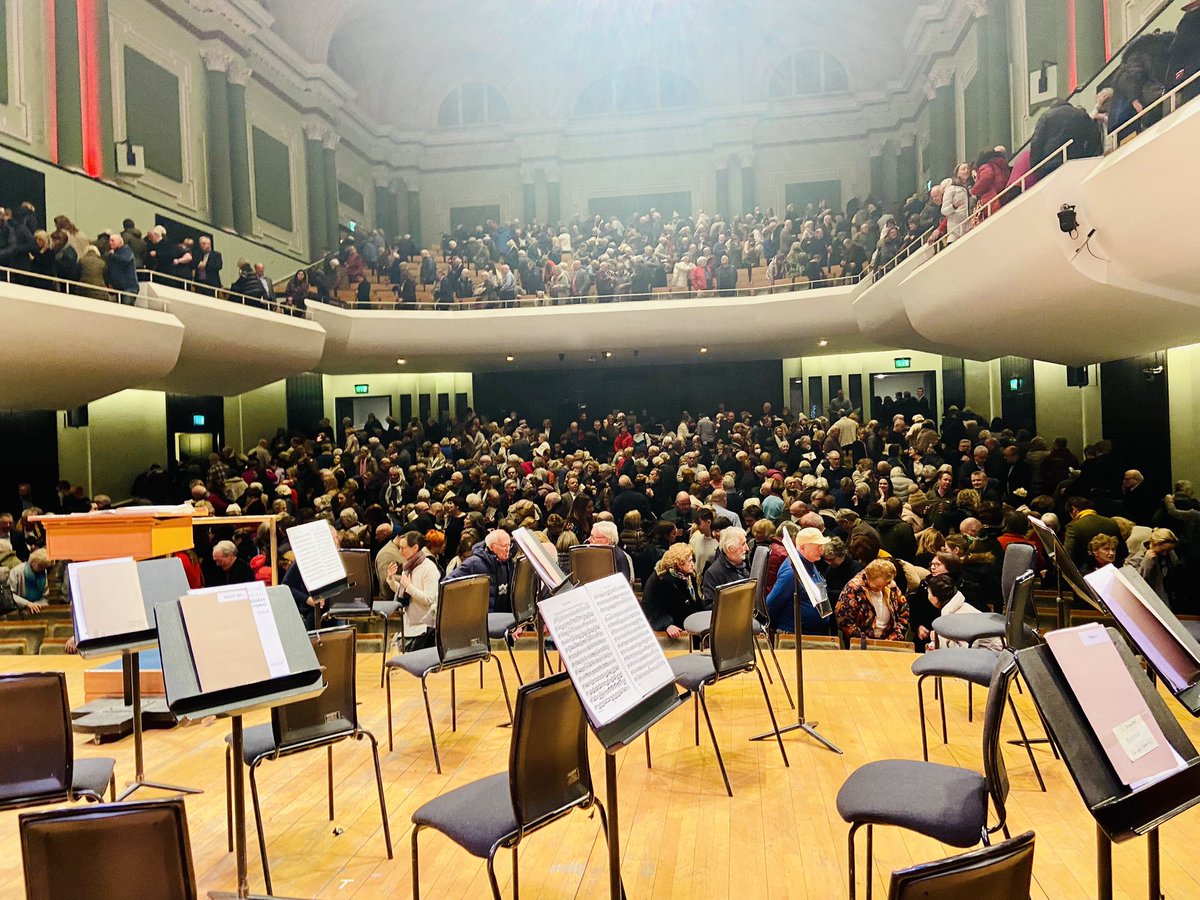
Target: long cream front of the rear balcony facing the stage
<point x="783" y="325"/>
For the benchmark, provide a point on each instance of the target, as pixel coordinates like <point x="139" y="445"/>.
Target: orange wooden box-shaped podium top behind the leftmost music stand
<point x="139" y="532"/>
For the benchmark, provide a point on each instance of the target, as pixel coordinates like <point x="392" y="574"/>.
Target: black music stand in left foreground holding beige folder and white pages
<point x="190" y="704"/>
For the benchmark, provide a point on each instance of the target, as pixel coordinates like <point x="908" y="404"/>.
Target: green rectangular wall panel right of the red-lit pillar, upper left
<point x="152" y="115"/>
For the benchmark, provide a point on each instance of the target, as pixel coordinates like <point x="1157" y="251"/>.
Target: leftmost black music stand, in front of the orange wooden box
<point x="161" y="580"/>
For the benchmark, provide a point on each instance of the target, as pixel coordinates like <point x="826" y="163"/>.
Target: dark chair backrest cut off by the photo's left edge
<point x="35" y="740"/>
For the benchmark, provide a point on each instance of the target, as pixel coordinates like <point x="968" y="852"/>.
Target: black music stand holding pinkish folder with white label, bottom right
<point x="1120" y="812"/>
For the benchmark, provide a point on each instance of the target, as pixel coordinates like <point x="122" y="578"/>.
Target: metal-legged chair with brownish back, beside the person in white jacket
<point x="461" y="641"/>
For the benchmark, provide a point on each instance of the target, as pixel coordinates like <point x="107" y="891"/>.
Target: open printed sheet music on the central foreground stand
<point x="608" y="647"/>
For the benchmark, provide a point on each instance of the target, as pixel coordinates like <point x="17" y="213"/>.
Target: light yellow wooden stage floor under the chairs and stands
<point x="781" y="836"/>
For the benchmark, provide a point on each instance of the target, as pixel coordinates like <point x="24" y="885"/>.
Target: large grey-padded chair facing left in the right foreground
<point x="941" y="802"/>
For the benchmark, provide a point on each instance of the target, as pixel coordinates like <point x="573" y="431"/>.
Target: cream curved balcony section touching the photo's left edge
<point x="65" y="350"/>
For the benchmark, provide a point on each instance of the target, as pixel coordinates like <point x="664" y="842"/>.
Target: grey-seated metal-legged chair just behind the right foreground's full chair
<point x="974" y="665"/>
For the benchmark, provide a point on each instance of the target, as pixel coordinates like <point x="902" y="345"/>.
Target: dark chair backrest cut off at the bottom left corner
<point x="135" y="850"/>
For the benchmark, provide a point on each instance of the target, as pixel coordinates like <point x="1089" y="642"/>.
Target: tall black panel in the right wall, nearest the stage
<point x="1136" y="417"/>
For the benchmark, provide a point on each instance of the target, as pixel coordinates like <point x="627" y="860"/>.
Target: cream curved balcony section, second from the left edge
<point x="232" y="346"/>
